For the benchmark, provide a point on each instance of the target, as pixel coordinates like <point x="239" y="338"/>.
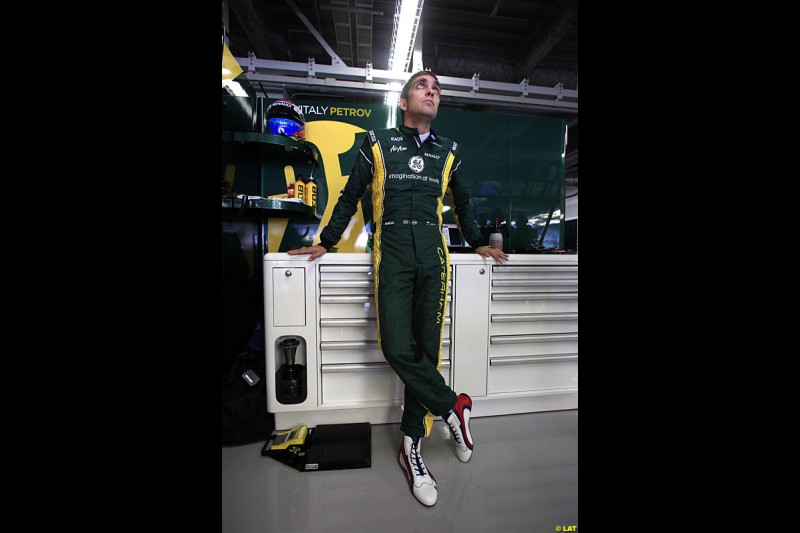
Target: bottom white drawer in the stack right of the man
<point x="519" y="374"/>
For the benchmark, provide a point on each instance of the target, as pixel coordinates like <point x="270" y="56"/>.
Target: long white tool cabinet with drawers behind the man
<point x="510" y="339"/>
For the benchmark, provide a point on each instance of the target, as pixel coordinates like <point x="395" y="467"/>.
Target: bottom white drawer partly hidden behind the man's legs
<point x="356" y="383"/>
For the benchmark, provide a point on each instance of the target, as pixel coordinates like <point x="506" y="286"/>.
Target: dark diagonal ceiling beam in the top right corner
<point x="549" y="31"/>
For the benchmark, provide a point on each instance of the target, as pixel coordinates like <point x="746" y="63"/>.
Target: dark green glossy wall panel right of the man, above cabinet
<point x="515" y="170"/>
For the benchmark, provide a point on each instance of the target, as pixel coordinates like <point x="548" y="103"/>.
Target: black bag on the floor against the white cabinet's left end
<point x="245" y="417"/>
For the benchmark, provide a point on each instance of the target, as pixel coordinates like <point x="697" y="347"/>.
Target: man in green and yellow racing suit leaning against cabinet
<point x="410" y="168"/>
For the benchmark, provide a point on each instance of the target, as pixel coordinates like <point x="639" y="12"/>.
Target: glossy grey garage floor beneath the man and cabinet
<point x="523" y="477"/>
